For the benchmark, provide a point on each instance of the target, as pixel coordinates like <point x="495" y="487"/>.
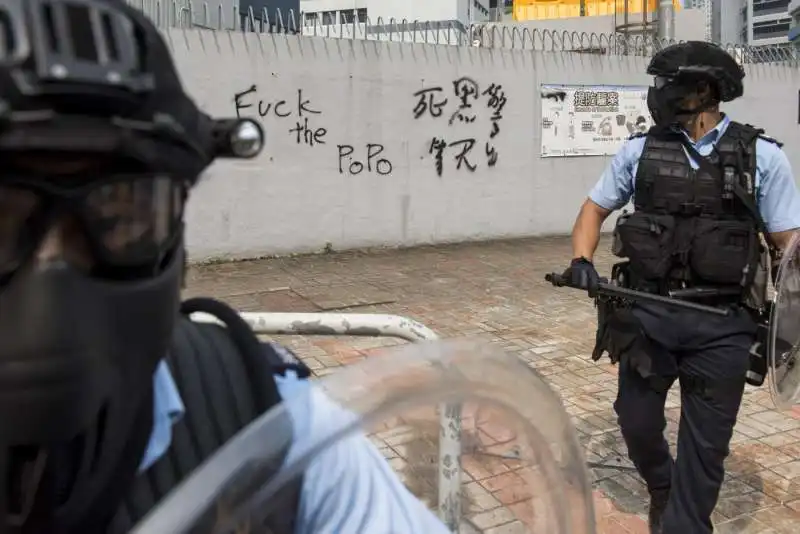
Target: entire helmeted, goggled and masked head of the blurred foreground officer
<point x="99" y="146"/>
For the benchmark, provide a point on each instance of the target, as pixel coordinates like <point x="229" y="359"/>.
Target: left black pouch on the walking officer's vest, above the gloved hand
<point x="647" y="240"/>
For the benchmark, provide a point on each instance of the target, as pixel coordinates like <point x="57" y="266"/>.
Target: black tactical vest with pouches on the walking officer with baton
<point x="693" y="227"/>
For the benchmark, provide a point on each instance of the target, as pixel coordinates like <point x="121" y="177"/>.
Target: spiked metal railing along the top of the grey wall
<point x="226" y="16"/>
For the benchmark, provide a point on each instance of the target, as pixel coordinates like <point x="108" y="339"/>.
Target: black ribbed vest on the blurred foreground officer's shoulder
<point x="224" y="386"/>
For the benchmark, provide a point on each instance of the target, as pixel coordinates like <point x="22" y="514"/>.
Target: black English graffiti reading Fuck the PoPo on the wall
<point x="305" y="128"/>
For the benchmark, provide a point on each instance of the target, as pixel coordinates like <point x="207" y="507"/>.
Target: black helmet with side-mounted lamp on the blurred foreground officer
<point x="75" y="71"/>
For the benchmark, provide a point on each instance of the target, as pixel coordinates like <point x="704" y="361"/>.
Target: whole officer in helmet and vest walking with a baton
<point x="705" y="190"/>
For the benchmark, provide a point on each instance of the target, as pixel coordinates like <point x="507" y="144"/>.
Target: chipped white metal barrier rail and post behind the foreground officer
<point x="377" y="325"/>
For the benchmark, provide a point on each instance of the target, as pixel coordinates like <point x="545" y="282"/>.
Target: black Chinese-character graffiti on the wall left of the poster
<point x="468" y="99"/>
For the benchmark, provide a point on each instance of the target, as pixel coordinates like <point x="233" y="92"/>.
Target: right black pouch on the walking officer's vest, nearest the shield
<point x="724" y="252"/>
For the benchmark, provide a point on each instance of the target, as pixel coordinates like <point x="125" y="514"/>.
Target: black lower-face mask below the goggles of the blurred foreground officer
<point x="77" y="358"/>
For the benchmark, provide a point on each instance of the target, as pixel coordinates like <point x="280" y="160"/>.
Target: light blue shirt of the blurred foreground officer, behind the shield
<point x="349" y="487"/>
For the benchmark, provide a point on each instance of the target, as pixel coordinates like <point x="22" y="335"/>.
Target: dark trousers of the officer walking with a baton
<point x="710" y="356"/>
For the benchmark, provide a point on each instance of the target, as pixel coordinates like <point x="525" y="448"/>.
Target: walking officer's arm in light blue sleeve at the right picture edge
<point x="778" y="196"/>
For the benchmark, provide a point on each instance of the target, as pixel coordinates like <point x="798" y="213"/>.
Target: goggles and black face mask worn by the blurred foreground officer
<point x="79" y="343"/>
